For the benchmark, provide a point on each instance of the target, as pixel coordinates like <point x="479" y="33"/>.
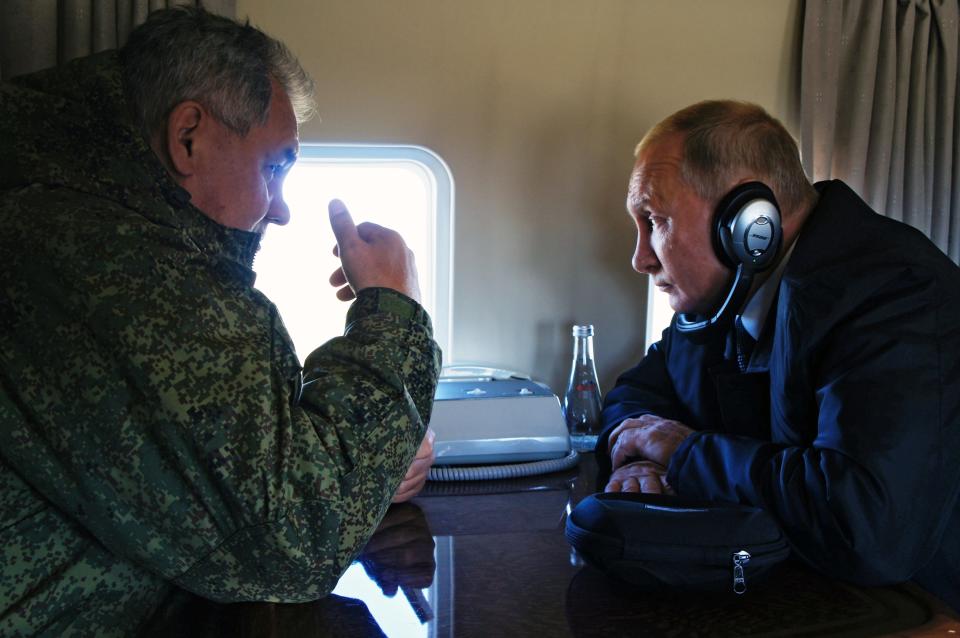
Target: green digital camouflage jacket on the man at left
<point x="150" y="436"/>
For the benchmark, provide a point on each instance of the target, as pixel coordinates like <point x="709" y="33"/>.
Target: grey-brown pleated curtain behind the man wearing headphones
<point x="880" y="107"/>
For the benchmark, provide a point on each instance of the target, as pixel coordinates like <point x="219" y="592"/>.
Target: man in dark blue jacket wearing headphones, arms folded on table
<point x="813" y="366"/>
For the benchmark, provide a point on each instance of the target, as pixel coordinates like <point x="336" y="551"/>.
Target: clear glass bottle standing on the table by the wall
<point x="581" y="403"/>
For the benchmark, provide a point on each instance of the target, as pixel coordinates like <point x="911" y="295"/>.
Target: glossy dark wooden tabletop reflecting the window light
<point x="482" y="559"/>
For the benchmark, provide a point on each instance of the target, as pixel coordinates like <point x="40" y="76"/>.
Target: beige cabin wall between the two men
<point x="536" y="105"/>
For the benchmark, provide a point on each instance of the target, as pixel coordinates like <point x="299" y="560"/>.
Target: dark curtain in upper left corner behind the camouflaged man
<point x="37" y="34"/>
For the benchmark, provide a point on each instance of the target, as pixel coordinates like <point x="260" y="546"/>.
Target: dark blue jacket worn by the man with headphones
<point x="846" y="425"/>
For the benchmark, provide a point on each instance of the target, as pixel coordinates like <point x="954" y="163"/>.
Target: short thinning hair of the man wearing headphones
<point x="724" y="137"/>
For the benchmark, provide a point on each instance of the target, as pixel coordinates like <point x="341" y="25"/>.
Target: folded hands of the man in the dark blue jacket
<point x="640" y="451"/>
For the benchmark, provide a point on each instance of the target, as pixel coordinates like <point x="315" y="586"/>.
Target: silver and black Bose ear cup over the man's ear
<point x="747" y="227"/>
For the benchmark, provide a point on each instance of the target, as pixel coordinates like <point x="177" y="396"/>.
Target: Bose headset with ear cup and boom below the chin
<point x="746" y="235"/>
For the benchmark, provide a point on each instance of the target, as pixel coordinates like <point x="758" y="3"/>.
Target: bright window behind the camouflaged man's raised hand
<point x="406" y="188"/>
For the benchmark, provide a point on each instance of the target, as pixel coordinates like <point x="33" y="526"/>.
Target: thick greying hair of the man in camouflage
<point x="187" y="53"/>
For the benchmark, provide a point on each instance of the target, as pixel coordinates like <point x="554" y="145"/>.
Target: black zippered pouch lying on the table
<point x="654" y="541"/>
